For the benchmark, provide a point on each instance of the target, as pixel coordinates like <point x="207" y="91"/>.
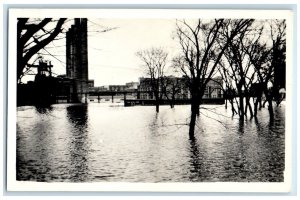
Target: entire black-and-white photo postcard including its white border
<point x="181" y="99"/>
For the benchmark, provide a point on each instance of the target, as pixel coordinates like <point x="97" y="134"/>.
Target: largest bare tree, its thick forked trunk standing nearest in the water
<point x="201" y="53"/>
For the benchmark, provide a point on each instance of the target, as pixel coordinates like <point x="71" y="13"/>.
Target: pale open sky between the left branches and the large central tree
<point x="112" y="56"/>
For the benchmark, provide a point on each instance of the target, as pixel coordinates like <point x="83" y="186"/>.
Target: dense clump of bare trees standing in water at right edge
<point x="250" y="62"/>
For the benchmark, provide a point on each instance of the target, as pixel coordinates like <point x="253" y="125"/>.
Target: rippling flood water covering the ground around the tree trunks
<point x="109" y="142"/>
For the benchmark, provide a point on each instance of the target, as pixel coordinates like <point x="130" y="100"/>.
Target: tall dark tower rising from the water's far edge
<point x="77" y="59"/>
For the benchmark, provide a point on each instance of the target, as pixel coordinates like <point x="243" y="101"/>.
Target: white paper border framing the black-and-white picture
<point x="13" y="185"/>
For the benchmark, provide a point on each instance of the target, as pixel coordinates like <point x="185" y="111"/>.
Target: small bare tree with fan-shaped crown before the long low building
<point x="155" y="60"/>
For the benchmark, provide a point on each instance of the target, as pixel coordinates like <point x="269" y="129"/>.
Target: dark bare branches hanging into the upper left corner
<point x="32" y="36"/>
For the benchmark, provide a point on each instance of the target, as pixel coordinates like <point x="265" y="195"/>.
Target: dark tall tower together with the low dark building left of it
<point x="72" y="87"/>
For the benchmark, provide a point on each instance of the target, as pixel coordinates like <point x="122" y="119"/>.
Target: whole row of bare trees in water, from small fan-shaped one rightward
<point x="249" y="55"/>
